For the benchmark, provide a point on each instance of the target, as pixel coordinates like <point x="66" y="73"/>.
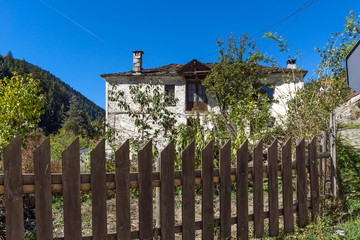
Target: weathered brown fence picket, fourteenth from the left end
<point x="287" y="187"/>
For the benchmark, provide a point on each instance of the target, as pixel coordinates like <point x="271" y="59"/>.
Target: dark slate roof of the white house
<point x="176" y="70"/>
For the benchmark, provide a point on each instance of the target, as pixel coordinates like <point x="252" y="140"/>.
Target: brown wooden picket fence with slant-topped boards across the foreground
<point x="278" y="169"/>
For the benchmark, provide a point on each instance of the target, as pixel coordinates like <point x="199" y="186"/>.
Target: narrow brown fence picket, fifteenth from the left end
<point x="301" y="188"/>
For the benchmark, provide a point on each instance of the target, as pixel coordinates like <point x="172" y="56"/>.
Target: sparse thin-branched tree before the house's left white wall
<point x="148" y="108"/>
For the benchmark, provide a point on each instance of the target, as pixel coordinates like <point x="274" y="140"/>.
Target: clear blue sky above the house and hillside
<point x="78" y="40"/>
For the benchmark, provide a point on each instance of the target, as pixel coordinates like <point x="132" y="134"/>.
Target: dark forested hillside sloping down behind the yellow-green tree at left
<point x="57" y="93"/>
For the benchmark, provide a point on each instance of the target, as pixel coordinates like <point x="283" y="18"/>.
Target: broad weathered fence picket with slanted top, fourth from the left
<point x="98" y="190"/>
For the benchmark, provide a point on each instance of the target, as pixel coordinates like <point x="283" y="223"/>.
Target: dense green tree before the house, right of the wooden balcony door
<point x="234" y="84"/>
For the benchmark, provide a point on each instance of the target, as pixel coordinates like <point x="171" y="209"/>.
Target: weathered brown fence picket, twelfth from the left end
<point x="258" y="191"/>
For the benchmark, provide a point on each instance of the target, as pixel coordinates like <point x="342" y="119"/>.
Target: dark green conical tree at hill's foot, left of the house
<point x="78" y="120"/>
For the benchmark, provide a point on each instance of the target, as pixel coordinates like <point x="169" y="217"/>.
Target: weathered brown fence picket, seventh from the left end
<point x="167" y="212"/>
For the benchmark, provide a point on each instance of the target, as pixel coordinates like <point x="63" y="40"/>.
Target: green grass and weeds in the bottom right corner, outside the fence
<point x="341" y="216"/>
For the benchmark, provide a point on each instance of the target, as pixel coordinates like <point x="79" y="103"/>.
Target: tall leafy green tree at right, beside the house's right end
<point x="309" y="108"/>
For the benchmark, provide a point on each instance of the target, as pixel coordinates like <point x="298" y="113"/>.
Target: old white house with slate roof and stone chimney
<point x="184" y="81"/>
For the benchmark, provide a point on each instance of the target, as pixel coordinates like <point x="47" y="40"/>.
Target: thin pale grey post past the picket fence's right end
<point x="333" y="153"/>
